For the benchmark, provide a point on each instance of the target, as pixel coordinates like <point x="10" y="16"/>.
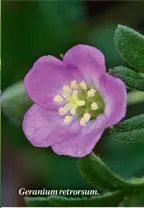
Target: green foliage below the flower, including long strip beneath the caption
<point x="102" y="172"/>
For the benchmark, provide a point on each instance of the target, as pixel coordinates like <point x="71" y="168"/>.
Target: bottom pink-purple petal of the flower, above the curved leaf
<point x="83" y="143"/>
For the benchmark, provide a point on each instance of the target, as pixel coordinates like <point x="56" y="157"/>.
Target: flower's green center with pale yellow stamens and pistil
<point x="79" y="100"/>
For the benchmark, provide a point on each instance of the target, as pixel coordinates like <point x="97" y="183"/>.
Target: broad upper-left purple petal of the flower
<point x="46" y="79"/>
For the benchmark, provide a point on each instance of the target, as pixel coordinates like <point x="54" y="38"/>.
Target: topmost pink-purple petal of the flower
<point x="89" y="60"/>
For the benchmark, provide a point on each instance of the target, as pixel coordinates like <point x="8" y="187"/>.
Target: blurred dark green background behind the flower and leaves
<point x="31" y="29"/>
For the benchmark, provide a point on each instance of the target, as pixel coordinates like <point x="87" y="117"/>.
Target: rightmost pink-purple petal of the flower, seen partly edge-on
<point x="115" y="96"/>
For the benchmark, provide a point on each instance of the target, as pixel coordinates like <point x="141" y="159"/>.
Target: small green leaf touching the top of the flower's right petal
<point x="131" y="78"/>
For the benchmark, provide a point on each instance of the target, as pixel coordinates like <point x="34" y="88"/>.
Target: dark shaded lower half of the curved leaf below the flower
<point x="88" y="172"/>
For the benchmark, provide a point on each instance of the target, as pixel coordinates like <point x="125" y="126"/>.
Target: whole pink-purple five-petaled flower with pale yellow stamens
<point x="75" y="100"/>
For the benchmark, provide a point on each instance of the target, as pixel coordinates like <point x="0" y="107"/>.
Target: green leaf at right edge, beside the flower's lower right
<point x="130" y="130"/>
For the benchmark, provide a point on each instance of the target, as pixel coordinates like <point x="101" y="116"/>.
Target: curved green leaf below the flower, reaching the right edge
<point x="98" y="167"/>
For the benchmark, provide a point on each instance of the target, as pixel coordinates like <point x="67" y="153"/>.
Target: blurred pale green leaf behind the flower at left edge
<point x="15" y="102"/>
